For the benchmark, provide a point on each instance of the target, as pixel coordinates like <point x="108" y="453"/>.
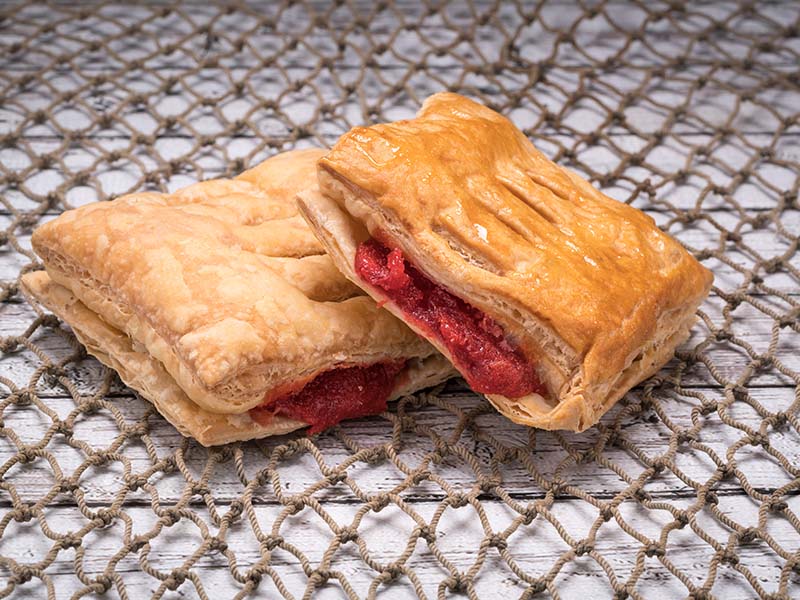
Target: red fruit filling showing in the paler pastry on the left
<point x="335" y="395"/>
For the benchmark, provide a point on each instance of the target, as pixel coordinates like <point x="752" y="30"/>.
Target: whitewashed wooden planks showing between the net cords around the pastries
<point x="538" y="547"/>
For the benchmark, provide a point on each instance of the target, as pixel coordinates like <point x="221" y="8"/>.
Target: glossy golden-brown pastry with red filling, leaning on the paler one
<point x="548" y="296"/>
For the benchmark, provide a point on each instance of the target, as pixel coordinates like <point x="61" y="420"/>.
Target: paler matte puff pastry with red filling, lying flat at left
<point x="218" y="305"/>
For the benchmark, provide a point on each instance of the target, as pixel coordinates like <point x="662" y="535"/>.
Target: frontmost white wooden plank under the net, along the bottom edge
<point x="534" y="548"/>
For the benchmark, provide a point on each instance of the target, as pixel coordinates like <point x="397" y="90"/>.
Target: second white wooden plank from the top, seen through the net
<point x="576" y="99"/>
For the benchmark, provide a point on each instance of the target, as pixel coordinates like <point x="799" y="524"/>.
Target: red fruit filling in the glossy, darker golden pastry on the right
<point x="477" y="344"/>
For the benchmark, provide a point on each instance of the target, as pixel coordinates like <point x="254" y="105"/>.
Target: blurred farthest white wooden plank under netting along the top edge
<point x="597" y="38"/>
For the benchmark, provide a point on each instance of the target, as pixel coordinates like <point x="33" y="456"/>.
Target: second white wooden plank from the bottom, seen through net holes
<point x="546" y="451"/>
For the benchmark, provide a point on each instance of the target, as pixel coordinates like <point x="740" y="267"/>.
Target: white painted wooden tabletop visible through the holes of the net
<point x="537" y="546"/>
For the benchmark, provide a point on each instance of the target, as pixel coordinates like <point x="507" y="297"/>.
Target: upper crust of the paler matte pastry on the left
<point x="223" y="284"/>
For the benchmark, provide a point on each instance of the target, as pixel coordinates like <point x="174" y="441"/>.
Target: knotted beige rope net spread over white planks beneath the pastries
<point x="691" y="484"/>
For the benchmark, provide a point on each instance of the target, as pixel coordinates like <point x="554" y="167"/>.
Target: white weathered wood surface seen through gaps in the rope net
<point x="536" y="547"/>
